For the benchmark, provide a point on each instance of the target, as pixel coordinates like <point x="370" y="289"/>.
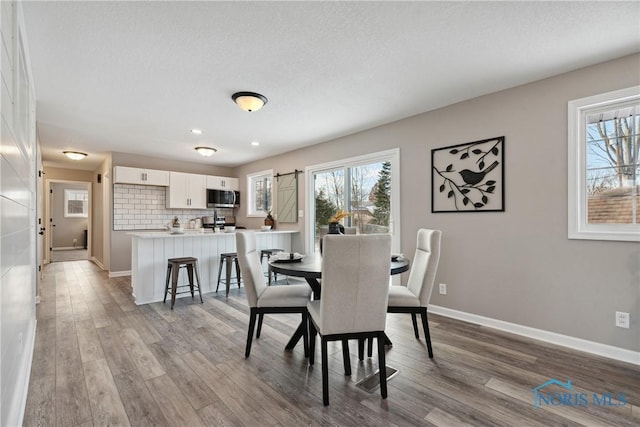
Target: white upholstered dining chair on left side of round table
<point x="265" y="299"/>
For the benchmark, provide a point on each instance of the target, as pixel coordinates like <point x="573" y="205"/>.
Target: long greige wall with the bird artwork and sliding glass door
<point x="517" y="266"/>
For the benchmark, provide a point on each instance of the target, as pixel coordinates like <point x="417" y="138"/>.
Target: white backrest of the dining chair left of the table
<point x="250" y="266"/>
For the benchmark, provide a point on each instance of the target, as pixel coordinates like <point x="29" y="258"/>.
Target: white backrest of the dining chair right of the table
<point x="425" y="265"/>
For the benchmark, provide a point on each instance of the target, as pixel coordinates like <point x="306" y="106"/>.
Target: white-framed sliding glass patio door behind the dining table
<point x="366" y="186"/>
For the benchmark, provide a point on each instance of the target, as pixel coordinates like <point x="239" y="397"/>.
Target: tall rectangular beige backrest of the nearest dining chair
<point x="355" y="283"/>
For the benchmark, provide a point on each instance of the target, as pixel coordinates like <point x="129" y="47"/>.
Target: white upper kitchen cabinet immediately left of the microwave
<point x="186" y="191"/>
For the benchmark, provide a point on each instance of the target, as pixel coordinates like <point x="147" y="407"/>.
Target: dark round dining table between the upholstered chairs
<point x="310" y="268"/>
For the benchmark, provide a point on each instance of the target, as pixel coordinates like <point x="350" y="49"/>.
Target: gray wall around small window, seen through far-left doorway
<point x="66" y="229"/>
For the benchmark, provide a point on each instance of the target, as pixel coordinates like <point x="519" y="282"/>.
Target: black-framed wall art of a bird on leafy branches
<point x="468" y="177"/>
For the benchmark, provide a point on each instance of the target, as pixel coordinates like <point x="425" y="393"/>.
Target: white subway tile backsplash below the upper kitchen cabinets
<point x="142" y="207"/>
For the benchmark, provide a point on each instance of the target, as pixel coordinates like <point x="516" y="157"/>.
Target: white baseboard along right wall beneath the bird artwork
<point x="580" y="344"/>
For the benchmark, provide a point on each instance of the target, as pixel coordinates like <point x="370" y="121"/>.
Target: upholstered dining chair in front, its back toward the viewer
<point x="353" y="303"/>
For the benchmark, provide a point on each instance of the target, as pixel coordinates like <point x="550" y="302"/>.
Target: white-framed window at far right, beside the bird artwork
<point x="603" y="142"/>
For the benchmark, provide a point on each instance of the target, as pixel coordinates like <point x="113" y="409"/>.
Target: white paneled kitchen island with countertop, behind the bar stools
<point x="150" y="251"/>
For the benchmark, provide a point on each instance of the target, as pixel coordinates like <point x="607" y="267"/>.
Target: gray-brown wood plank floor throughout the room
<point x="101" y="360"/>
